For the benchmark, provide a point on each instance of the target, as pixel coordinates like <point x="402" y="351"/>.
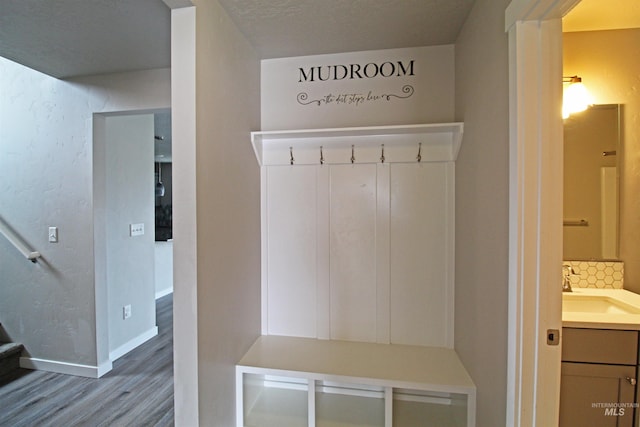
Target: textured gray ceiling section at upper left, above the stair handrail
<point x="66" y="38"/>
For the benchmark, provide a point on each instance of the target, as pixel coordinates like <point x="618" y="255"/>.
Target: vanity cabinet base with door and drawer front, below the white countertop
<point x="598" y="378"/>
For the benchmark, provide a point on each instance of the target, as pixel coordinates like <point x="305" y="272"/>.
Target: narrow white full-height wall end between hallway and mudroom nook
<point x="185" y="291"/>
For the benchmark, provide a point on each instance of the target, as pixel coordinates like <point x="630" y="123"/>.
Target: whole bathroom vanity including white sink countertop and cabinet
<point x="600" y="358"/>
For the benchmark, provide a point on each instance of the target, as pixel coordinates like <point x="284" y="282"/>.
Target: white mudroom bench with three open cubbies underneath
<point x="355" y="383"/>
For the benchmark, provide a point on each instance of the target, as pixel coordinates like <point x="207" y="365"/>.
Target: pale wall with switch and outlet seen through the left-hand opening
<point x="130" y="259"/>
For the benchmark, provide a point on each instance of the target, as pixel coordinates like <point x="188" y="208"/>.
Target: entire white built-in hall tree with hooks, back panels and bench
<point x="357" y="248"/>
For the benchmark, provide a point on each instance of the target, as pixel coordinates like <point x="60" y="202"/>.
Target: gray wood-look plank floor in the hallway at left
<point x="137" y="392"/>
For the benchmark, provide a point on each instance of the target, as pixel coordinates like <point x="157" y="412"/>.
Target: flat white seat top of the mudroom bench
<point x="412" y="367"/>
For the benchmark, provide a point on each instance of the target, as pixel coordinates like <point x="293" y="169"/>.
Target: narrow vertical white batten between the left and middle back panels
<point x="323" y="324"/>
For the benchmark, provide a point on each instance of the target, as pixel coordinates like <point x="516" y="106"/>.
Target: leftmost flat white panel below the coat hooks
<point x="291" y="250"/>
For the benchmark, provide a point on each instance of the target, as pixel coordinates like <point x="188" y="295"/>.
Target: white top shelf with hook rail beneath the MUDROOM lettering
<point x="439" y="142"/>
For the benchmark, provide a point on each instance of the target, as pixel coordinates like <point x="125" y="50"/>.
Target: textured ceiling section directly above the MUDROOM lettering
<point x="284" y="28"/>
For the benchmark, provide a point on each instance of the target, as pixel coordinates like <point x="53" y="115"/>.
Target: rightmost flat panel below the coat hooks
<point x="420" y="252"/>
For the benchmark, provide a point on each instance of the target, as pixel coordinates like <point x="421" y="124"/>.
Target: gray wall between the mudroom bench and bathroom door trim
<point x="482" y="222"/>
